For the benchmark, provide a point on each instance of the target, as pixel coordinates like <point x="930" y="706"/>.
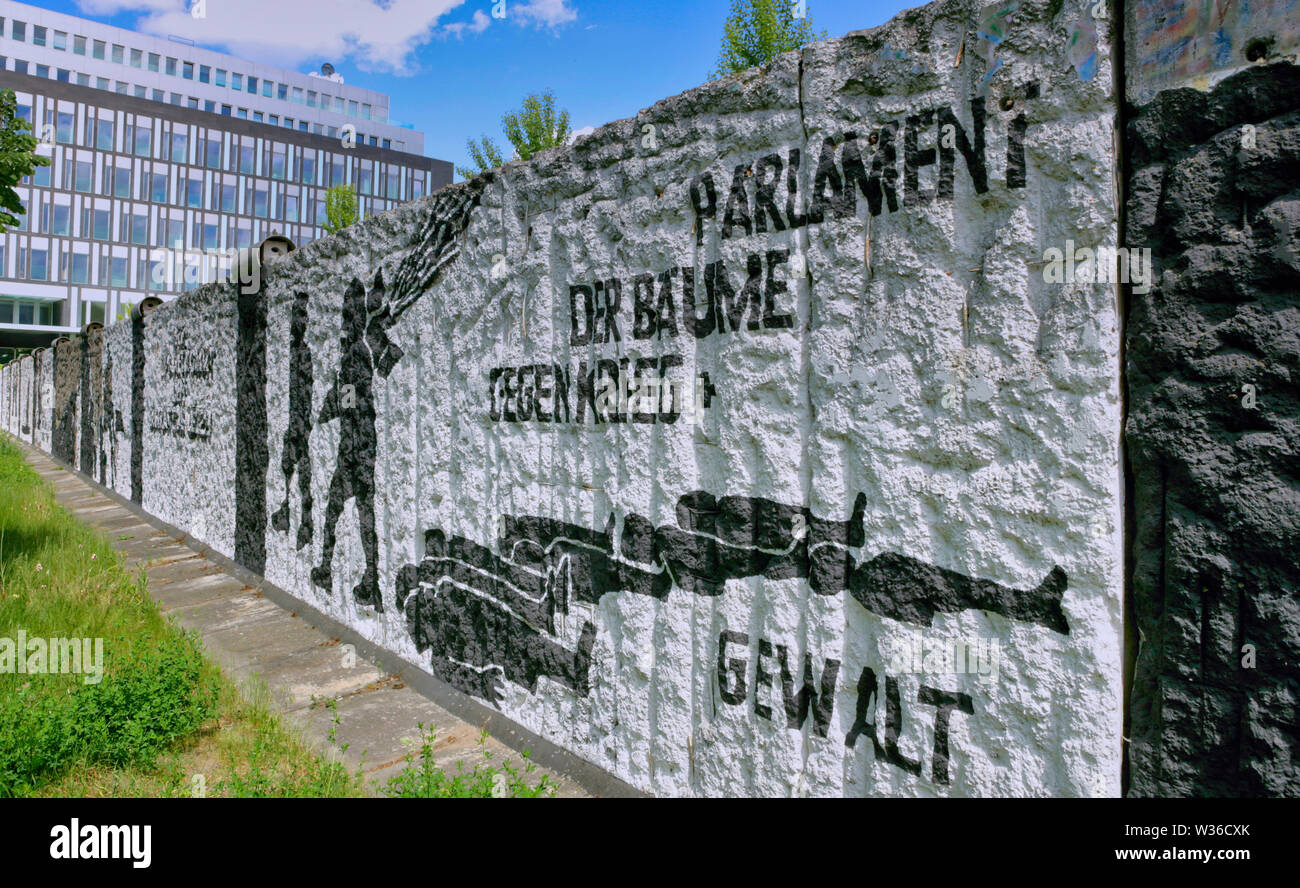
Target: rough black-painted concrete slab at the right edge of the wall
<point x="1212" y="436"/>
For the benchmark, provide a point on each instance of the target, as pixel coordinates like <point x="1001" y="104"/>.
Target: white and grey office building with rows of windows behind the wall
<point x="166" y="159"/>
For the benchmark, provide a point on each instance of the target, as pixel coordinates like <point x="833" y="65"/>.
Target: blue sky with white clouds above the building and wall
<point x="453" y="70"/>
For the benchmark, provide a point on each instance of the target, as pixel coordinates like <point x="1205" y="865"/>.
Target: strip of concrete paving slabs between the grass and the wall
<point x="253" y="638"/>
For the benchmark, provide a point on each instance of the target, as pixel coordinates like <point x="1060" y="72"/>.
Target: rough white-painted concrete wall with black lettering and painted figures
<point x="887" y="435"/>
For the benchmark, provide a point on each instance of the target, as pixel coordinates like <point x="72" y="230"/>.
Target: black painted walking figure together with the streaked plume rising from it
<point x="366" y="352"/>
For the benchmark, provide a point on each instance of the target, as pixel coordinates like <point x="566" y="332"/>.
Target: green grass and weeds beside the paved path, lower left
<point x="162" y="721"/>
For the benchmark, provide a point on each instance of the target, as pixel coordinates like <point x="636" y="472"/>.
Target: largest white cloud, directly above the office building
<point x="379" y="36"/>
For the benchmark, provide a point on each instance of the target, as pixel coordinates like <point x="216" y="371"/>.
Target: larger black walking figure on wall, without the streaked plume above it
<point x="366" y="352"/>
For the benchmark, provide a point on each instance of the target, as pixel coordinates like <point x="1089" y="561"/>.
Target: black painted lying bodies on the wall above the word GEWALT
<point x="487" y="616"/>
